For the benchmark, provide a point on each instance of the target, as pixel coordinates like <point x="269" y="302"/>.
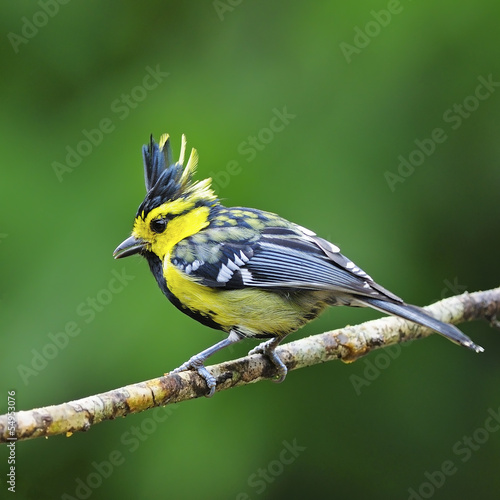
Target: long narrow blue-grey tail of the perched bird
<point x="418" y="315"/>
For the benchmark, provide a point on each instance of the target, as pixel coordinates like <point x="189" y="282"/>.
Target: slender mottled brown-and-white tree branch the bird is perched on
<point x="346" y="344"/>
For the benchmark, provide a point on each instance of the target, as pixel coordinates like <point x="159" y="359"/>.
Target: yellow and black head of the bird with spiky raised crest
<point x="174" y="206"/>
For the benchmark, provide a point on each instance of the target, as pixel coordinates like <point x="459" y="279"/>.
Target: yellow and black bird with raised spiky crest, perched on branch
<point x="247" y="272"/>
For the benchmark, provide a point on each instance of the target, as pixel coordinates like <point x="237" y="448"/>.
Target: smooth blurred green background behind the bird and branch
<point x="356" y="107"/>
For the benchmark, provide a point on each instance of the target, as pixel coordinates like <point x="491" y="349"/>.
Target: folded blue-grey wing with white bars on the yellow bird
<point x="275" y="257"/>
